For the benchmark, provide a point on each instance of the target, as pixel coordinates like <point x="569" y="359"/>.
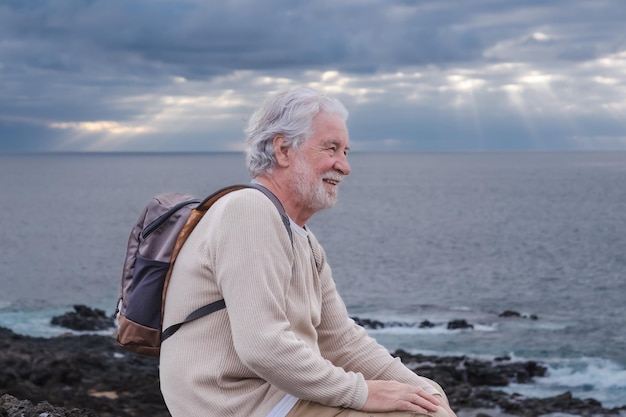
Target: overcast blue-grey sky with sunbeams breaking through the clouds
<point x="432" y="75"/>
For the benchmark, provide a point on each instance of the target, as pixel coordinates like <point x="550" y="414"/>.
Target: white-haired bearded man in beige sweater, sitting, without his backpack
<point x="284" y="345"/>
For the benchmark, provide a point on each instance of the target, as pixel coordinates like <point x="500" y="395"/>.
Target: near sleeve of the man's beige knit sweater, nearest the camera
<point x="253" y="267"/>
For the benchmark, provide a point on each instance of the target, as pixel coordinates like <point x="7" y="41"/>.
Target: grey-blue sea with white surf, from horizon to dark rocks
<point x="414" y="237"/>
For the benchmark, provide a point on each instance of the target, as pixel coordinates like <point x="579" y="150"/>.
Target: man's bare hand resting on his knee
<point x="395" y="396"/>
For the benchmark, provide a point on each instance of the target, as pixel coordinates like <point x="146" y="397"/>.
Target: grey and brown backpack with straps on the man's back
<point x="153" y="246"/>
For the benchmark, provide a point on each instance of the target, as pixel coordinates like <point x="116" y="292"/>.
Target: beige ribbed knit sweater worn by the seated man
<point x="284" y="330"/>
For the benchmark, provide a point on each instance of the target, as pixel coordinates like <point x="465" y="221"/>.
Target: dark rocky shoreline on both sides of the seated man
<point x="89" y="375"/>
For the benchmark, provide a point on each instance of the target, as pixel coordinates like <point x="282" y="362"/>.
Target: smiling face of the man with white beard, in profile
<point x="321" y="163"/>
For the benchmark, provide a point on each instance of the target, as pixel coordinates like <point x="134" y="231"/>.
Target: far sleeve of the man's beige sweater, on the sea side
<point x="348" y="345"/>
